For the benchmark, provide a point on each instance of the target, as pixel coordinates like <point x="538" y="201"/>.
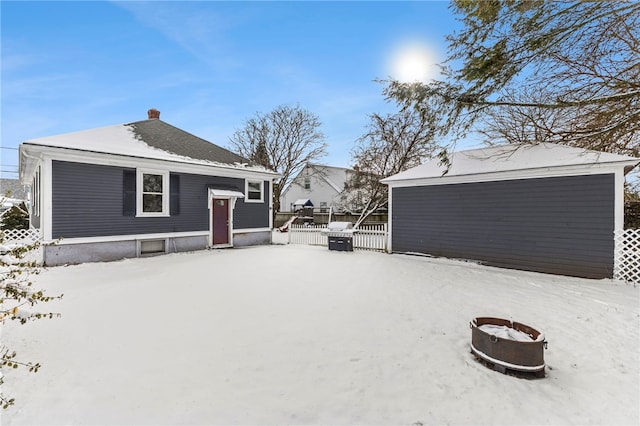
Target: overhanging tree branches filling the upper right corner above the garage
<point x="567" y="72"/>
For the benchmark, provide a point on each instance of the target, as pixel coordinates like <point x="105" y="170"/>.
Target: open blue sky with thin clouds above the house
<point x="207" y="66"/>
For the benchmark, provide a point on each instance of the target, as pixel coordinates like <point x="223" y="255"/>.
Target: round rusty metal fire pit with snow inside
<point x="508" y="346"/>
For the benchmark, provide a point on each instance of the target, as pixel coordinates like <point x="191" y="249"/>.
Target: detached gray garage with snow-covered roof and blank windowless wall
<point x="545" y="208"/>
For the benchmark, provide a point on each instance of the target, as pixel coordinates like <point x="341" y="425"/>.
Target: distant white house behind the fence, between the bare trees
<point x="317" y="186"/>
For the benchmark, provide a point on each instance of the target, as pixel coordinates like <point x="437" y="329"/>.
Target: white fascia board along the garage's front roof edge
<point x="576" y="170"/>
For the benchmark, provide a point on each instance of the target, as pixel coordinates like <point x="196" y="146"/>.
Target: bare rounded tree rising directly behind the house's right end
<point x="283" y="140"/>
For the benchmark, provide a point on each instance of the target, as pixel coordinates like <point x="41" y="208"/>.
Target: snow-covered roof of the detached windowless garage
<point x="511" y="158"/>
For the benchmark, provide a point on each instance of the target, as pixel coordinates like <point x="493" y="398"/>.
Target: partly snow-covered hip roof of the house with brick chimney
<point x="152" y="139"/>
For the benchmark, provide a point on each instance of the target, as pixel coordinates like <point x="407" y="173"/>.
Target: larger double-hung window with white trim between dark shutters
<point x="152" y="193"/>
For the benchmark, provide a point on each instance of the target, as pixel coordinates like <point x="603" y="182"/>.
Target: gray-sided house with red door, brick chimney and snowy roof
<point x="141" y="188"/>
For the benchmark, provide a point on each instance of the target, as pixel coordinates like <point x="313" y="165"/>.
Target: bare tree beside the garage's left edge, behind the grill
<point x="392" y="143"/>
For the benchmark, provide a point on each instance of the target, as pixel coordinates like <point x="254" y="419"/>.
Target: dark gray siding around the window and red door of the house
<point x="88" y="201"/>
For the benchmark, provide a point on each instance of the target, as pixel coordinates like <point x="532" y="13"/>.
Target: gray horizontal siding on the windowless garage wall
<point x="560" y="225"/>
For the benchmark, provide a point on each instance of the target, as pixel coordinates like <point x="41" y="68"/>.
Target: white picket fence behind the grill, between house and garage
<point x="366" y="237"/>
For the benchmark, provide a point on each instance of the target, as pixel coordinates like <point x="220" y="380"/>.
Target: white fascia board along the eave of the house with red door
<point x="78" y="156"/>
